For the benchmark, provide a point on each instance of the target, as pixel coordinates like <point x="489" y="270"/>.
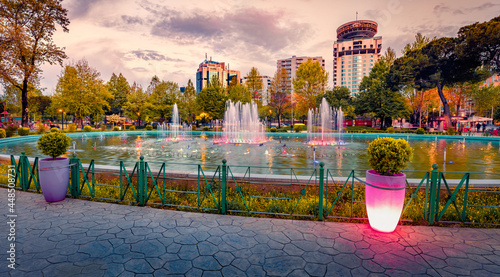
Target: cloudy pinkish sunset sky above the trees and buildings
<point x="169" y="38"/>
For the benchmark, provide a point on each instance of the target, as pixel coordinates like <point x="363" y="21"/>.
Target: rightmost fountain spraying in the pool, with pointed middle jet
<point x="325" y="125"/>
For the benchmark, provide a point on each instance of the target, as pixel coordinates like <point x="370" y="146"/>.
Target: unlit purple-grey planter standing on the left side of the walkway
<point x="54" y="178"/>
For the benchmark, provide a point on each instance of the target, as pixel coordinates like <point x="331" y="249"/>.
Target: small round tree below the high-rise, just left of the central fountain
<point x="212" y="102"/>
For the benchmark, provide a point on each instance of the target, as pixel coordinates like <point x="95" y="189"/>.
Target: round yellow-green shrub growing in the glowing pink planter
<point x="389" y="156"/>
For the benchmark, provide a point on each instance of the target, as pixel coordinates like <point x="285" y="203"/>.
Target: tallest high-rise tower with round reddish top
<point x="354" y="53"/>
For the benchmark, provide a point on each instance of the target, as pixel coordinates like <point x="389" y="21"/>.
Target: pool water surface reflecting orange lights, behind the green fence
<point x="281" y="150"/>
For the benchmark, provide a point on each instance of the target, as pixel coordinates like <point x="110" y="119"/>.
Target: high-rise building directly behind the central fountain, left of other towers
<point x="209" y="68"/>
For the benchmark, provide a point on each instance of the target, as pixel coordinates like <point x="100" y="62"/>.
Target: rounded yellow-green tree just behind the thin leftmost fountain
<point x="162" y="99"/>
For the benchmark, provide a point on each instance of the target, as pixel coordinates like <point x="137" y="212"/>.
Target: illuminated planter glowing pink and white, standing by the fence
<point x="384" y="199"/>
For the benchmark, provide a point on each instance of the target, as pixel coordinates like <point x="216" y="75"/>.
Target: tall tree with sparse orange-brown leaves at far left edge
<point x="26" y="42"/>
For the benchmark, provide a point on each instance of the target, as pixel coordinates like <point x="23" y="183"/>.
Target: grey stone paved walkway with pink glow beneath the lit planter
<point x="84" y="238"/>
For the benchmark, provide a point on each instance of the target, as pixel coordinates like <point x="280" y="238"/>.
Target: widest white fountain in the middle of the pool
<point x="242" y="124"/>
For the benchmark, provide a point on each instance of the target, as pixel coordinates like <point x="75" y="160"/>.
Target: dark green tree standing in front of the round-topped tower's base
<point x="376" y="96"/>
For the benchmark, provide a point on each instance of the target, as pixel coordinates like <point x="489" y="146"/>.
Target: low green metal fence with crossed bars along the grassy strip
<point x="323" y="193"/>
